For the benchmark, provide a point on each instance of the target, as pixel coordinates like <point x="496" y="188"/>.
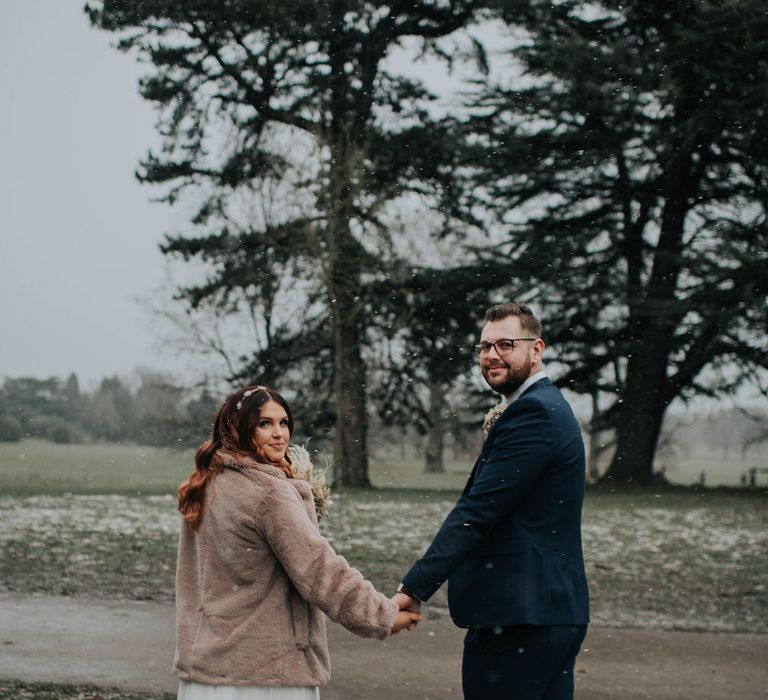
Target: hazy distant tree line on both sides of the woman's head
<point x="152" y="408"/>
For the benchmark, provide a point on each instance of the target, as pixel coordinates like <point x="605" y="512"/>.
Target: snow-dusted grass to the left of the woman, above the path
<point x="116" y="546"/>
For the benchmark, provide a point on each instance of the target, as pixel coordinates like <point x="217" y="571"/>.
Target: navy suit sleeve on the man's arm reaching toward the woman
<point x="523" y="447"/>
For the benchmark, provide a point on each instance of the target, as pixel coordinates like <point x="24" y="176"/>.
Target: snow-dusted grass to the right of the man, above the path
<point x="679" y="559"/>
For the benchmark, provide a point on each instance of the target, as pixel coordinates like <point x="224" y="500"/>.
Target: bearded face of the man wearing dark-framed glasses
<point x="505" y="373"/>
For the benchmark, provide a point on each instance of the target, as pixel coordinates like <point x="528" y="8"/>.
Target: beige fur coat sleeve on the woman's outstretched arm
<point x="321" y="576"/>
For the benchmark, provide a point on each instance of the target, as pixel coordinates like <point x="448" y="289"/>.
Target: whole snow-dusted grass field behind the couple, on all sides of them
<point x="102" y="521"/>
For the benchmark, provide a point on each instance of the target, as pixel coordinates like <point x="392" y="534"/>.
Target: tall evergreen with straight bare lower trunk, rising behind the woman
<point x="295" y="98"/>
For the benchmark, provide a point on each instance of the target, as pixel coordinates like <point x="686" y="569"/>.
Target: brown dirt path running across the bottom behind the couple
<point x="130" y="645"/>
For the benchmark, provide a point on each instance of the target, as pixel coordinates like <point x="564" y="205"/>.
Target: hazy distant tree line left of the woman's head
<point x="157" y="411"/>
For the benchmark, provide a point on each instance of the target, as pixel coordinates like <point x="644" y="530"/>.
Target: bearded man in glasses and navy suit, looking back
<point x="511" y="547"/>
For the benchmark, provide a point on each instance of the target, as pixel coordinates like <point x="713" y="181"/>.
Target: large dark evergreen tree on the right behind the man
<point x="627" y="156"/>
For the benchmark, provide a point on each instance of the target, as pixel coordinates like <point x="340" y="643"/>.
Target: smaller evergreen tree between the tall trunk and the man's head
<point x="429" y="323"/>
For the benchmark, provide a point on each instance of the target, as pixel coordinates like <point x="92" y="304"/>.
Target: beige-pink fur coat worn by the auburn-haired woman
<point x="253" y="582"/>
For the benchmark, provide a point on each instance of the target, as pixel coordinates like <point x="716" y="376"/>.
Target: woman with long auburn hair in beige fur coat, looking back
<point x="254" y="575"/>
